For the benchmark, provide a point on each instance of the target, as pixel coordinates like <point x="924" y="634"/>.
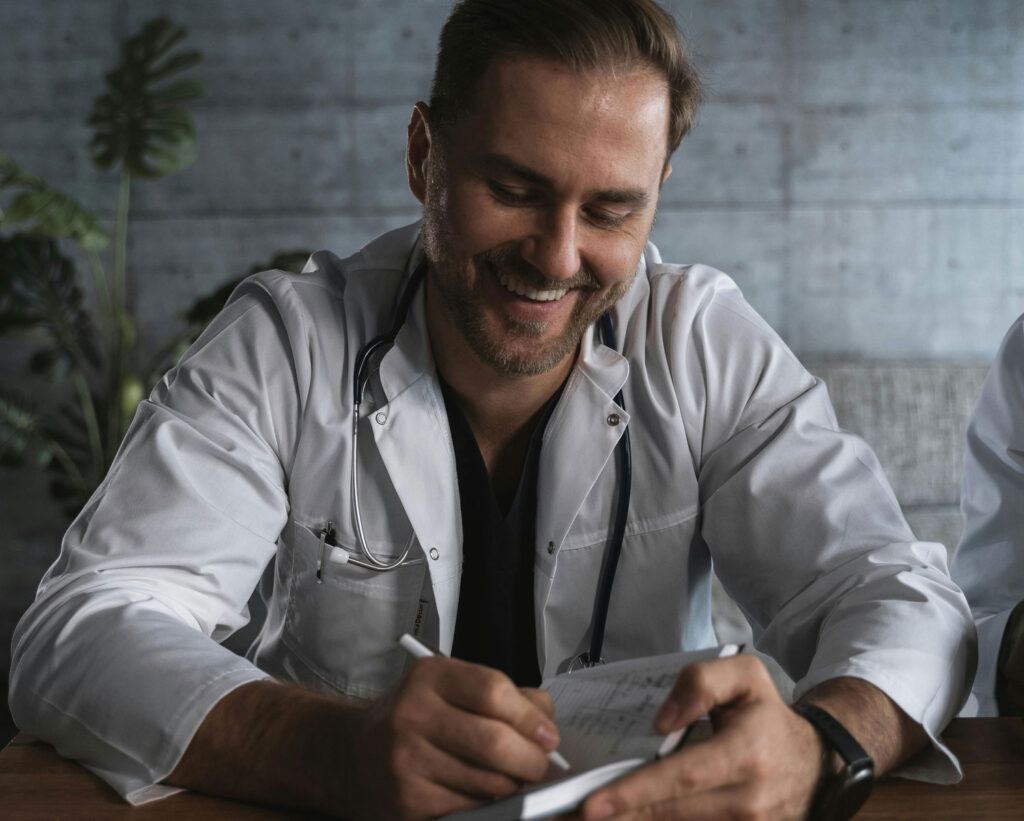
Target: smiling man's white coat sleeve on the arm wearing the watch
<point x="808" y="538"/>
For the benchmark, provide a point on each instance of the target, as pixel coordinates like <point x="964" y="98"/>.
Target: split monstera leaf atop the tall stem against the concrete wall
<point x="139" y="122"/>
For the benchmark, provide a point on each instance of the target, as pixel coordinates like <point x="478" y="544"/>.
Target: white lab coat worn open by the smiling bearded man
<point x="243" y="453"/>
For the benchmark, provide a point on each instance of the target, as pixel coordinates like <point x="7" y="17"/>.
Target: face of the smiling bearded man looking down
<point x="538" y="205"/>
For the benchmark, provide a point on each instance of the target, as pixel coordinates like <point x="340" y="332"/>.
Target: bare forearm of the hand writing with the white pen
<point x="274" y="744"/>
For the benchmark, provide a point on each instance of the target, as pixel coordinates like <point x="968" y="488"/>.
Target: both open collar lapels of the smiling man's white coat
<point x="580" y="434"/>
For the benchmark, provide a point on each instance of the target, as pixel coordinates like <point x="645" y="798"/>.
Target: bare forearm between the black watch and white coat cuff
<point x="886" y="733"/>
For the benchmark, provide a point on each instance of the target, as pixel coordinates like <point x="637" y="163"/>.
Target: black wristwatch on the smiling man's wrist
<point x="842" y="794"/>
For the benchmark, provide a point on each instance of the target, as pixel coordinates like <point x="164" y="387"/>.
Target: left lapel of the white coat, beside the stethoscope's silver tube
<point x="412" y="435"/>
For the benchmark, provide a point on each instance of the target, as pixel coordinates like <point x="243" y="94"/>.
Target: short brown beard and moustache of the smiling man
<point x="513" y="355"/>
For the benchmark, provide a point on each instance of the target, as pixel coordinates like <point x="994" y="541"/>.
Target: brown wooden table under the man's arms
<point x="37" y="785"/>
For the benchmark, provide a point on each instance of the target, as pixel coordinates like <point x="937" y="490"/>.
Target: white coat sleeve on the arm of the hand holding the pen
<point x="117" y="662"/>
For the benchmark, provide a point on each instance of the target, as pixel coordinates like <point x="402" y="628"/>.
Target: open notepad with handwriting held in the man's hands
<point x="605" y="715"/>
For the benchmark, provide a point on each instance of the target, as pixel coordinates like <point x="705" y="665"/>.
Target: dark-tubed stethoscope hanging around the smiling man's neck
<point x="610" y="561"/>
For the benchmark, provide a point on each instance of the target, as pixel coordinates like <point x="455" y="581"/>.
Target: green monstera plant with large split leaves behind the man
<point x="142" y="132"/>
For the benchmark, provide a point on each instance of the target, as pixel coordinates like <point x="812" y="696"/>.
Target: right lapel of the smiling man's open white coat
<point x="578" y="444"/>
